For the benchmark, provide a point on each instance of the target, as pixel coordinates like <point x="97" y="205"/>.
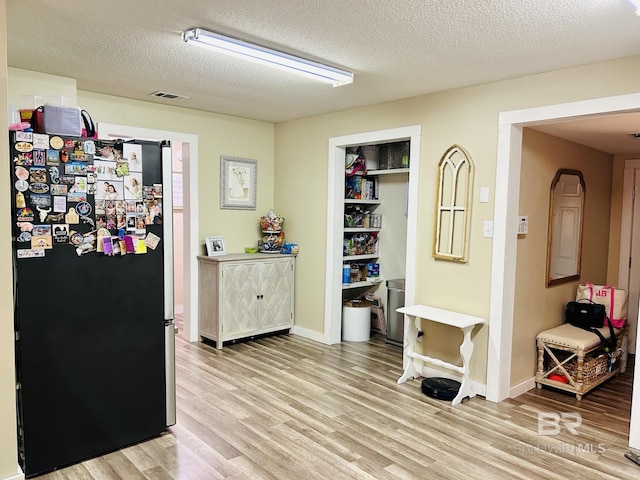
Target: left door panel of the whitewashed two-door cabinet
<point x="239" y="298"/>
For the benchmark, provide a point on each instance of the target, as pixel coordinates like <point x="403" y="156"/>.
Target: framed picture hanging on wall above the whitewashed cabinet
<point x="238" y="182"/>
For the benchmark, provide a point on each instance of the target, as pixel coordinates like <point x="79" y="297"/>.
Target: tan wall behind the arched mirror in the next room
<point x="537" y="307"/>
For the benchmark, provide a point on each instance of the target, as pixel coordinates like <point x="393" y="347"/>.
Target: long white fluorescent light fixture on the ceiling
<point x="267" y="56"/>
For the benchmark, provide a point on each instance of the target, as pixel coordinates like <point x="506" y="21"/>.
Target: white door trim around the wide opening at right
<point x="505" y="234"/>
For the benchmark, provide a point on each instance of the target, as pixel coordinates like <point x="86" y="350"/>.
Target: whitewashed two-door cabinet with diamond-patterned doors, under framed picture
<point x="242" y="295"/>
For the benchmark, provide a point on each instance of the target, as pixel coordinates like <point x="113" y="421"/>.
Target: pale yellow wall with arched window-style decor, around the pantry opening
<point x="468" y="117"/>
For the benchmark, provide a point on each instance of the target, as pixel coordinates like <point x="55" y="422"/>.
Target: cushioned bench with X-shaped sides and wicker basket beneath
<point x="573" y="354"/>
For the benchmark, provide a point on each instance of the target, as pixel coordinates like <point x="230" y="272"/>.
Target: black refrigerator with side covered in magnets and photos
<point x="93" y="296"/>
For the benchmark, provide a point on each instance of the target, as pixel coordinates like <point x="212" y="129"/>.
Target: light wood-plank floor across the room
<point x="284" y="408"/>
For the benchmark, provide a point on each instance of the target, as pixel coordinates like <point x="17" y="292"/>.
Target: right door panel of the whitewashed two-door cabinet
<point x="275" y="305"/>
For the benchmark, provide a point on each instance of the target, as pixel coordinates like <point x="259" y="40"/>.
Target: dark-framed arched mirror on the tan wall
<point x="566" y="212"/>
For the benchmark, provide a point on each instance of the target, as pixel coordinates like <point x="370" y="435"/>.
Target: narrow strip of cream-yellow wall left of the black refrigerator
<point x="8" y="449"/>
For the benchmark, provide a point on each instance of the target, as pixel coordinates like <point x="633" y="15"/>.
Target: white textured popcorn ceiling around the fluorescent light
<point x="397" y="48"/>
